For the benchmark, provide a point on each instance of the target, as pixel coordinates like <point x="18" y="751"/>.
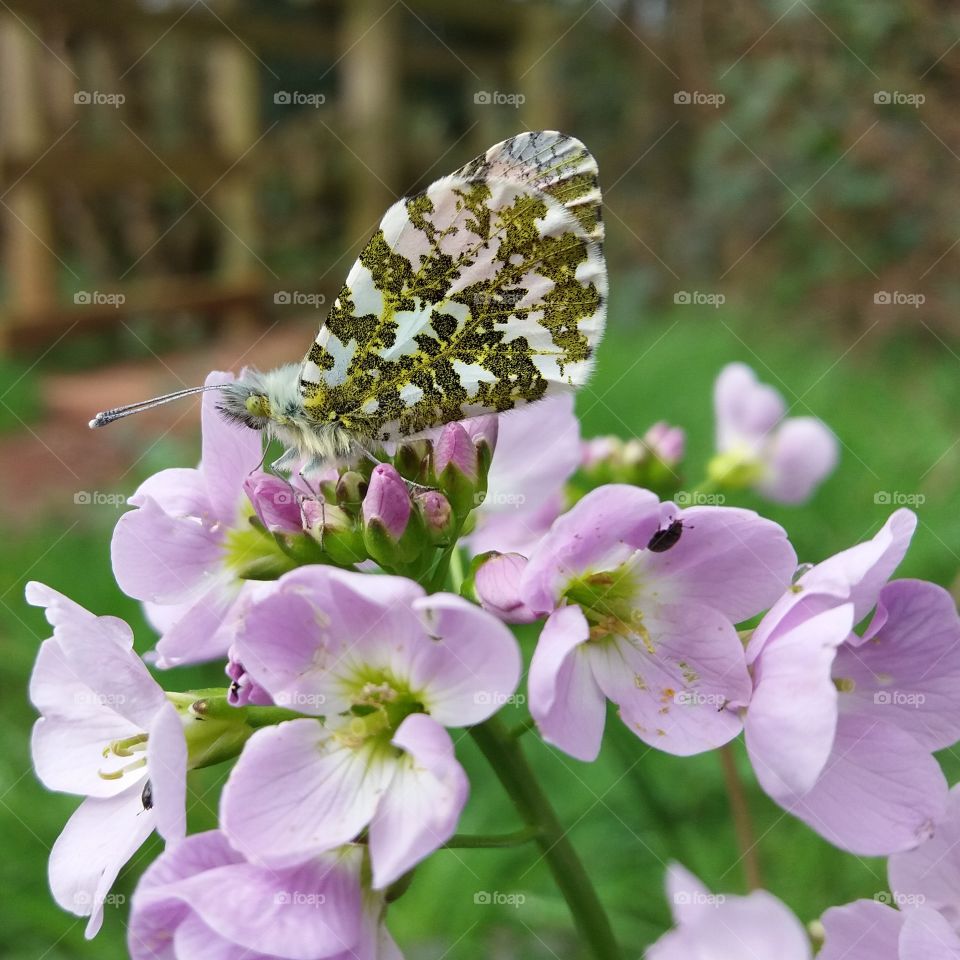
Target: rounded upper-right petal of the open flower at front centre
<point x="468" y="663"/>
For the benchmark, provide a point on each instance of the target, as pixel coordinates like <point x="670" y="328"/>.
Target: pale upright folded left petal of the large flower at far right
<point x="792" y="717"/>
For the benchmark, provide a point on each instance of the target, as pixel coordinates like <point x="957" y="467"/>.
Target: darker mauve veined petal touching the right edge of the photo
<point x="909" y="671"/>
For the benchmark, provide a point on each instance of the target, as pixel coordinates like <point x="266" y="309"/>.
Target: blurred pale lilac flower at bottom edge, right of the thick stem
<point x="722" y="927"/>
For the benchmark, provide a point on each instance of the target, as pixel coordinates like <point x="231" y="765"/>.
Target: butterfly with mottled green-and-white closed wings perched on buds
<point x="482" y="293"/>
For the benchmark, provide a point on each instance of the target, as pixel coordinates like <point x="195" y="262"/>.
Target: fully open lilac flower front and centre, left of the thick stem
<point x="387" y="668"/>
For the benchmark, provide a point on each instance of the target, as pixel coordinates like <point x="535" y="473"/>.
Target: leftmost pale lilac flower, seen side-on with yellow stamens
<point x="108" y="733"/>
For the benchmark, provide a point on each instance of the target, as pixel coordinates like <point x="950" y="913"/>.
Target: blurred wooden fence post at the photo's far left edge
<point x="28" y="260"/>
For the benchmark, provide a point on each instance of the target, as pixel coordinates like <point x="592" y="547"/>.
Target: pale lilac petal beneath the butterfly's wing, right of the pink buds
<point x="538" y="450"/>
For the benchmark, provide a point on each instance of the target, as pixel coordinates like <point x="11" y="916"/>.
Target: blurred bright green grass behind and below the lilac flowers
<point x="893" y="403"/>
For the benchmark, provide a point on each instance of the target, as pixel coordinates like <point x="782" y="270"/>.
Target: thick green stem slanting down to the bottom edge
<point x="510" y="765"/>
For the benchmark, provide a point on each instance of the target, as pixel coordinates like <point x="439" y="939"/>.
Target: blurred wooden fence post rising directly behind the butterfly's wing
<point x="369" y="110"/>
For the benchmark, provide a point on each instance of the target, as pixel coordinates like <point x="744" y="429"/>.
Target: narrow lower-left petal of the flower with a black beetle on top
<point x="565" y="700"/>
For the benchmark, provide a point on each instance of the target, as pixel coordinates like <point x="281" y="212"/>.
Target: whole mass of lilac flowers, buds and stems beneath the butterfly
<point x="364" y="611"/>
